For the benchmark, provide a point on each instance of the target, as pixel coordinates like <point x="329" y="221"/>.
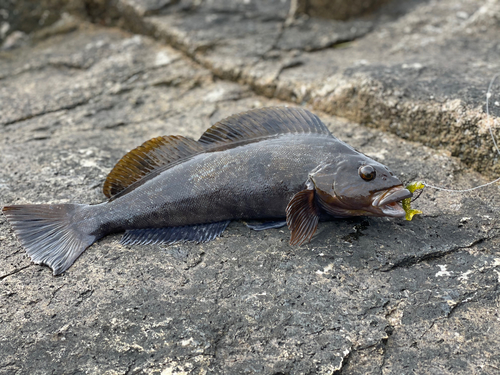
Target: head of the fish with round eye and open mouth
<point x="358" y="186"/>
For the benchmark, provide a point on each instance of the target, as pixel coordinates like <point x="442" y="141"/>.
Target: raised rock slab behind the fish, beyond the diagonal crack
<point x="419" y="69"/>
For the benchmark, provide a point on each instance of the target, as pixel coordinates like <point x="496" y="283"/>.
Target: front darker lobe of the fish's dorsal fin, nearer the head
<point x="260" y="123"/>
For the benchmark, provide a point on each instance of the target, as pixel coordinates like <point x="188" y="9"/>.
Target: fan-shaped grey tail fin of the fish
<point x="49" y="233"/>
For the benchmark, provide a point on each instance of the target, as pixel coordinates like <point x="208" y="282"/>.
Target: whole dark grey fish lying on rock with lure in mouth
<point x="277" y="164"/>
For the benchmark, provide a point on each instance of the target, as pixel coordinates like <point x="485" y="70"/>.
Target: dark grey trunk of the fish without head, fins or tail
<point x="252" y="181"/>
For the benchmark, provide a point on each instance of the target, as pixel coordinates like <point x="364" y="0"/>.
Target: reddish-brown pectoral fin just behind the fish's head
<point x="302" y="216"/>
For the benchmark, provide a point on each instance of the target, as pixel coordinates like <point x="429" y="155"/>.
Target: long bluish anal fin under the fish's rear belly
<point x="197" y="233"/>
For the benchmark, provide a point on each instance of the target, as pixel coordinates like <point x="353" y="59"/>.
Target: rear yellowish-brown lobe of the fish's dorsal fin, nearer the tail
<point x="153" y="155"/>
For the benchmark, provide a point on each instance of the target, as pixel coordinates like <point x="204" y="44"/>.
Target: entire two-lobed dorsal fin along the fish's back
<point x="161" y="153"/>
